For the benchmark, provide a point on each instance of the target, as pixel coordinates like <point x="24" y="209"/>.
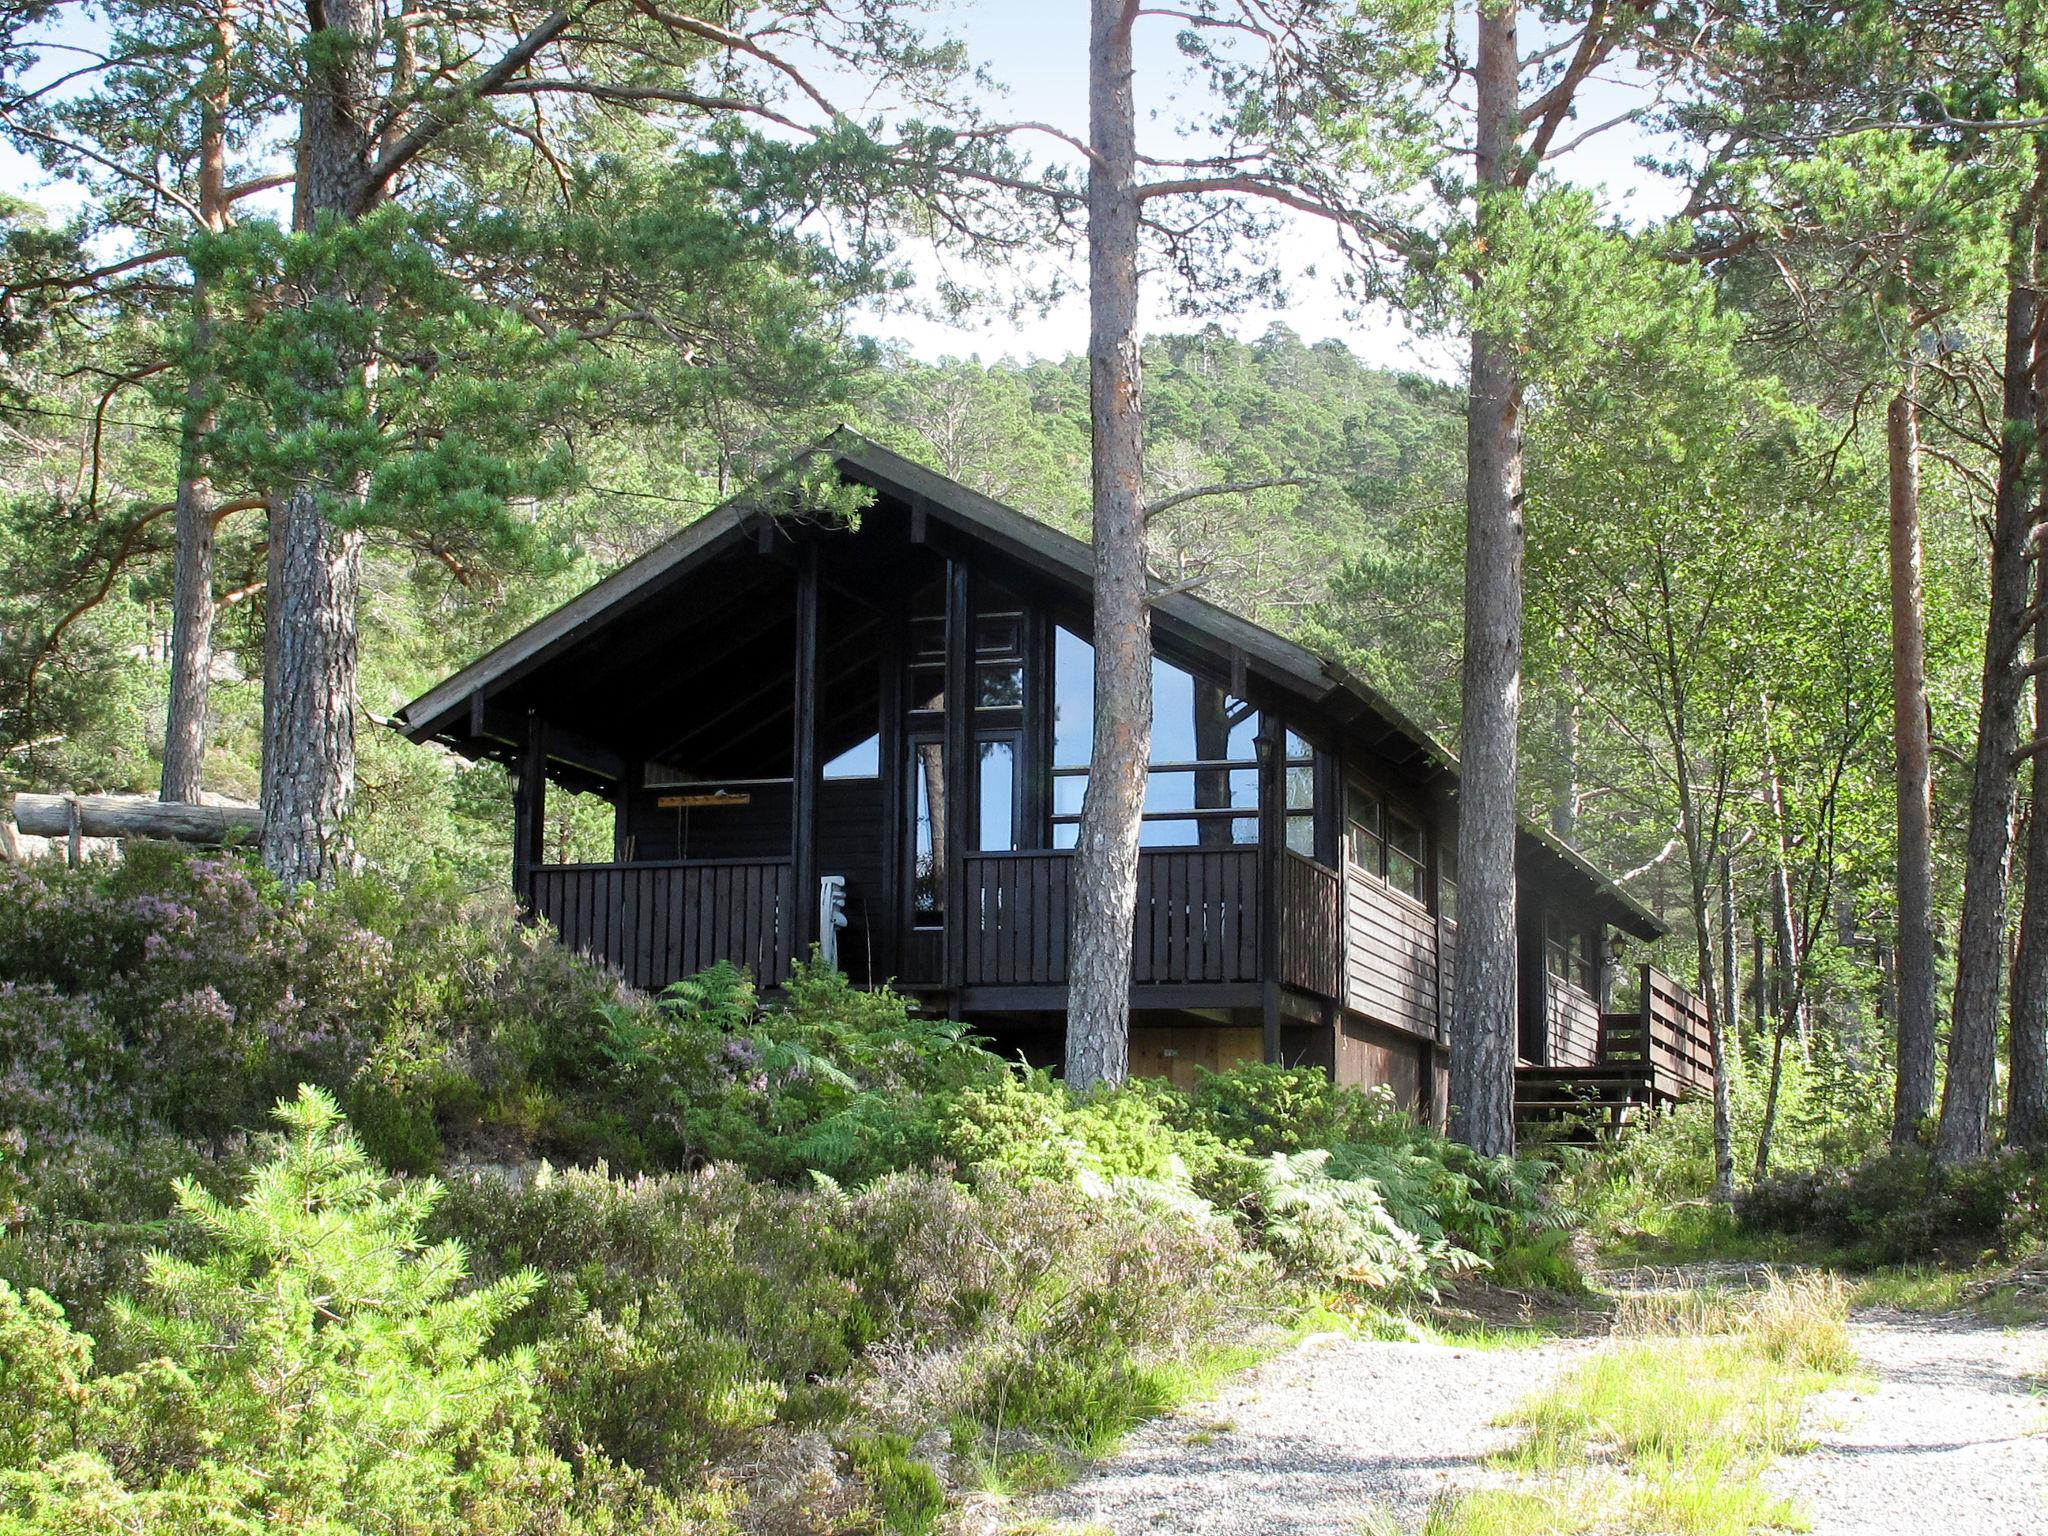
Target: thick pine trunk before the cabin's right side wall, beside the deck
<point x="1484" y="1025"/>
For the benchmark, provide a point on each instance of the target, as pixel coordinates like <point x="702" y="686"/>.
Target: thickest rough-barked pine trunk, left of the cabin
<point x="310" y="677"/>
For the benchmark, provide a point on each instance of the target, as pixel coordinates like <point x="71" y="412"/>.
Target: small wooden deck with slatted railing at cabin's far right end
<point x="1650" y="1058"/>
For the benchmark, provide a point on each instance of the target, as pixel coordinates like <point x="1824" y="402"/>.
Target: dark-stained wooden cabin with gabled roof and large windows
<point x="898" y="714"/>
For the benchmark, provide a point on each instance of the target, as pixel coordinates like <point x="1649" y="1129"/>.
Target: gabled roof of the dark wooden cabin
<point x="1052" y="554"/>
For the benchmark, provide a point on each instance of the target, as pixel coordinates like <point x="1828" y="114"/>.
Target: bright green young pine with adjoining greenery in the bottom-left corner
<point x="318" y="1367"/>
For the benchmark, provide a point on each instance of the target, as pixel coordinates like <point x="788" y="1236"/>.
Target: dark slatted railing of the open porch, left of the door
<point x="667" y="921"/>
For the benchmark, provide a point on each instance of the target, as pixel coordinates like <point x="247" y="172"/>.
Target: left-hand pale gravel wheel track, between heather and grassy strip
<point x="1316" y="1441"/>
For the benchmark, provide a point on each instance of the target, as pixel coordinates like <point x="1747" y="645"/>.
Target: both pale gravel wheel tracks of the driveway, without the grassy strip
<point x="1953" y="1439"/>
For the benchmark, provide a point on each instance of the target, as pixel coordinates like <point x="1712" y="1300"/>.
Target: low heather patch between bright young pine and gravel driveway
<point x="685" y="1318"/>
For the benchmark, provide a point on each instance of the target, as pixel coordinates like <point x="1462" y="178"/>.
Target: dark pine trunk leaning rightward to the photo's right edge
<point x="1996" y="777"/>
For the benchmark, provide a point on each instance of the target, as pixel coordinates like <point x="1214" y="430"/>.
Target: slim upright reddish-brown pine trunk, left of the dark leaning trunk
<point x="1914" y="1099"/>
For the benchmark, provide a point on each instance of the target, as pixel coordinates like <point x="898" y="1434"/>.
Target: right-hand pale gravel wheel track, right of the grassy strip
<point x="1953" y="1441"/>
